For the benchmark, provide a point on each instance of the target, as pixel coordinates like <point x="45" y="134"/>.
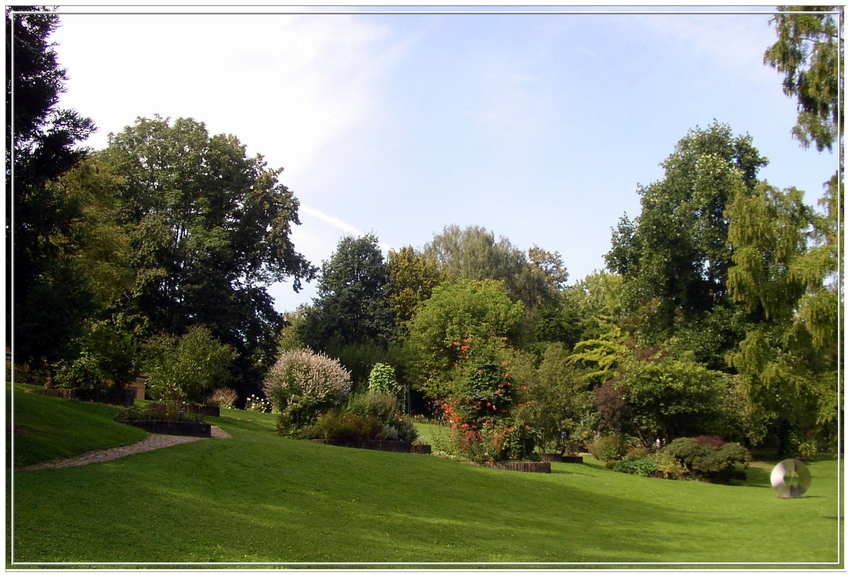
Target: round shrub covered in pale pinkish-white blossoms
<point x="302" y="385"/>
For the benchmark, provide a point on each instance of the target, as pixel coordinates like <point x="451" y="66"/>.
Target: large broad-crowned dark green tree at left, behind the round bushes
<point x="209" y="230"/>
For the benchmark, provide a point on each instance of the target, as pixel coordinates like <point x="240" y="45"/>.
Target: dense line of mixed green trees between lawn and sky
<point x="717" y="313"/>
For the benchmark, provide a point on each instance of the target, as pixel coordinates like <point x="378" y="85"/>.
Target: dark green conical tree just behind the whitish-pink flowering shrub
<point x="352" y="304"/>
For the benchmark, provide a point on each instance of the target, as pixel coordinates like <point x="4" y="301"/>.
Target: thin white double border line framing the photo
<point x="60" y="12"/>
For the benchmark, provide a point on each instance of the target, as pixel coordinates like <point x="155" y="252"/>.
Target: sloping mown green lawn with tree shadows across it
<point x="260" y="498"/>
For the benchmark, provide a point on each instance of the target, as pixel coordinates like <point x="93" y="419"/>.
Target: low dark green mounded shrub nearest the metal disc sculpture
<point x="715" y="464"/>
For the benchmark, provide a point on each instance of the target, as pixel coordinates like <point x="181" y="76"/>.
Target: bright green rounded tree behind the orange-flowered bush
<point x="456" y="312"/>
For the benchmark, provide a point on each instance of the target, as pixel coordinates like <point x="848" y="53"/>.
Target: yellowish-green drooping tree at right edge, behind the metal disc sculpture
<point x="787" y="362"/>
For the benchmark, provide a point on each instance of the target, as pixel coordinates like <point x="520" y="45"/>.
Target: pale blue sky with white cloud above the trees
<point x="538" y="127"/>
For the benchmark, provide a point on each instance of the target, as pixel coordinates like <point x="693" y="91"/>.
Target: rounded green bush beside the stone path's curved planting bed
<point x="186" y="368"/>
